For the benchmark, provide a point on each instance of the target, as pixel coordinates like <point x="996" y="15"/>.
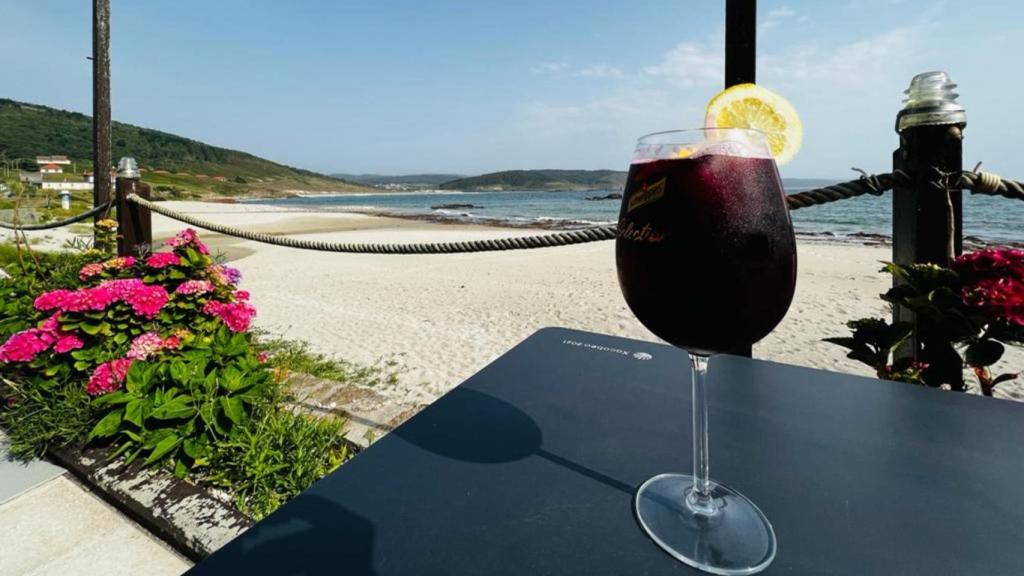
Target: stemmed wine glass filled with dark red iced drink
<point x="708" y="262"/>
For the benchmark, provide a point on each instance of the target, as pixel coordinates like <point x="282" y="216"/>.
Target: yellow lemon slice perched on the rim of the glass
<point x="750" y="106"/>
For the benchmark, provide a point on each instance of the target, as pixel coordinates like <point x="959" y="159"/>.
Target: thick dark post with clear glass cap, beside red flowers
<point x="927" y="214"/>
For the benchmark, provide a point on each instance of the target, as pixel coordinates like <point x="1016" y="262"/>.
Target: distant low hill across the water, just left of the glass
<point x="541" y="180"/>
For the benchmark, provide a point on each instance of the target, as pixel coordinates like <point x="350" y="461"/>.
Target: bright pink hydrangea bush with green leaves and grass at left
<point x="155" y="360"/>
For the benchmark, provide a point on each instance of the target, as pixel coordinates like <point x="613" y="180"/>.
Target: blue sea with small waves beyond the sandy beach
<point x="991" y="220"/>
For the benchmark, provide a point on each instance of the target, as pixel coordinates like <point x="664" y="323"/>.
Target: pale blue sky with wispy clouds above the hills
<point x="456" y="87"/>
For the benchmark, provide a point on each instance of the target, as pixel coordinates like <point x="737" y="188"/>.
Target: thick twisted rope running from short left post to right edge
<point x="876" y="185"/>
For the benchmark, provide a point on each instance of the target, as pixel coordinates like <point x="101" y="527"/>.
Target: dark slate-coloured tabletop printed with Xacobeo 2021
<point x="531" y="466"/>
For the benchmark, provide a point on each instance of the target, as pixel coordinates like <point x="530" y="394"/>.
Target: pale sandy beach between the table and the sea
<point x="445" y="317"/>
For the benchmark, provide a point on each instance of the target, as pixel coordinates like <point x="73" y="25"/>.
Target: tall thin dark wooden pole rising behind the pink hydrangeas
<point x="102" y="103"/>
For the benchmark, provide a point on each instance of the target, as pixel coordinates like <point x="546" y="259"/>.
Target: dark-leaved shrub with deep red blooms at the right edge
<point x="972" y="311"/>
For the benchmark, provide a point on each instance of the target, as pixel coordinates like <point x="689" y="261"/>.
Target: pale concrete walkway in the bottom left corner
<point x="51" y="525"/>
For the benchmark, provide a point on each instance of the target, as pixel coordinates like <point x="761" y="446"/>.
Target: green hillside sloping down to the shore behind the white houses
<point x="176" y="163"/>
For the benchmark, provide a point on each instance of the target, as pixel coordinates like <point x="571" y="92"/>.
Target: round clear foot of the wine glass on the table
<point x="734" y="539"/>
